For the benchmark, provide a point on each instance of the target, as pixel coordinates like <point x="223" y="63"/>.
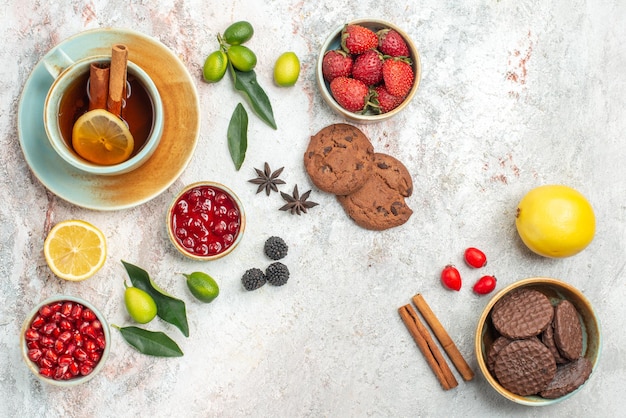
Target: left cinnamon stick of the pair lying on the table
<point x="427" y="346"/>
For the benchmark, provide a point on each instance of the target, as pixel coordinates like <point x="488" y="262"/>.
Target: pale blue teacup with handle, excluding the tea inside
<point x="66" y="72"/>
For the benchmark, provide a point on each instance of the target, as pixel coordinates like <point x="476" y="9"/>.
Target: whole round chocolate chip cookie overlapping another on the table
<point x="339" y="159"/>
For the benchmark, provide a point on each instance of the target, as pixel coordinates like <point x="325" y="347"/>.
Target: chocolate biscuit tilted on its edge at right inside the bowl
<point x="568" y="333"/>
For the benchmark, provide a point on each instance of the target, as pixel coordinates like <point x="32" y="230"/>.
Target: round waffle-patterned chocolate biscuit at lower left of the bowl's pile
<point x="525" y="367"/>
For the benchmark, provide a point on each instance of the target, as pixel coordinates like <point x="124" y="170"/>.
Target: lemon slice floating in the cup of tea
<point x="102" y="138"/>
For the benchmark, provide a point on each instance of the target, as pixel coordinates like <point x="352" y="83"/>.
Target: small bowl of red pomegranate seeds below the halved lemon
<point x="65" y="340"/>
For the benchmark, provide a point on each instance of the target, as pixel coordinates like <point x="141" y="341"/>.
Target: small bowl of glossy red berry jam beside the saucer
<point x="206" y="221"/>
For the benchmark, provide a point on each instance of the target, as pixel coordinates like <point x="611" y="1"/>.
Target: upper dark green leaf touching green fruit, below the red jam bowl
<point x="169" y="308"/>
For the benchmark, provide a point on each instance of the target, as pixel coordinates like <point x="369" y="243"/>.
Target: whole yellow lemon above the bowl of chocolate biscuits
<point x="555" y="221"/>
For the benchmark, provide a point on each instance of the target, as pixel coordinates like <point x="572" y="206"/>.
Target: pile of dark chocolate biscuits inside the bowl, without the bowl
<point x="539" y="347"/>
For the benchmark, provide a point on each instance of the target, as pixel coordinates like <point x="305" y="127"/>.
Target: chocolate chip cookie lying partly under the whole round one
<point x="380" y="203"/>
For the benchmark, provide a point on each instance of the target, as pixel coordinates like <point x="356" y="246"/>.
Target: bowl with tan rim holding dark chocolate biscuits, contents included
<point x="538" y="341"/>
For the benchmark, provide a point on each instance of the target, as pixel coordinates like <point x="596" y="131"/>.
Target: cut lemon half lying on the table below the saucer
<point x="75" y="250"/>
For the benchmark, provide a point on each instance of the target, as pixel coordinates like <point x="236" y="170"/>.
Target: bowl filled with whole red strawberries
<point x="368" y="70"/>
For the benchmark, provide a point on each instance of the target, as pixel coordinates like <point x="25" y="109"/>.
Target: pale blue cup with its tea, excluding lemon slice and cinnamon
<point x="68" y="99"/>
